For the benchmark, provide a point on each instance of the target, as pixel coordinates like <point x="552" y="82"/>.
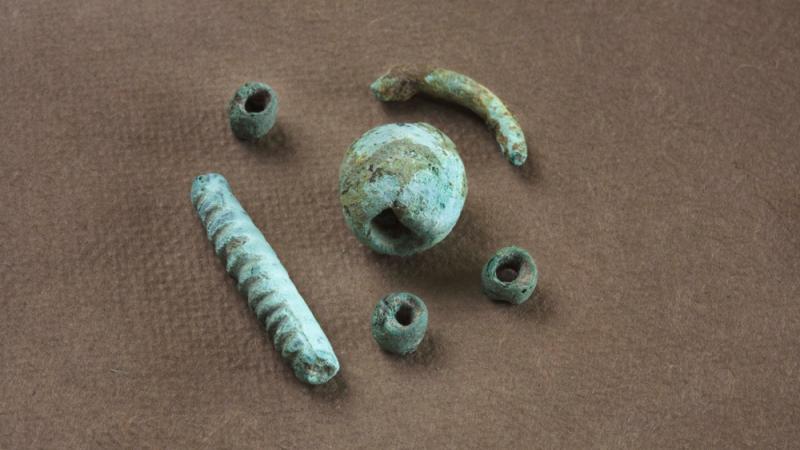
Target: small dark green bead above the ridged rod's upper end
<point x="253" y="110"/>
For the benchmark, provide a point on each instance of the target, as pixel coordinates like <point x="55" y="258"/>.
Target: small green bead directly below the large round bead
<point x="399" y="322"/>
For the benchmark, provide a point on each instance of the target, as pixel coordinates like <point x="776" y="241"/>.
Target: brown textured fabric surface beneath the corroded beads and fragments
<point x="661" y="201"/>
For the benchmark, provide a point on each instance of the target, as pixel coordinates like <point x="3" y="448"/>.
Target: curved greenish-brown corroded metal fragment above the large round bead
<point x="403" y="82"/>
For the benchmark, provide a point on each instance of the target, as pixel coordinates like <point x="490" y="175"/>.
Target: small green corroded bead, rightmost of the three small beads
<point x="510" y="276"/>
